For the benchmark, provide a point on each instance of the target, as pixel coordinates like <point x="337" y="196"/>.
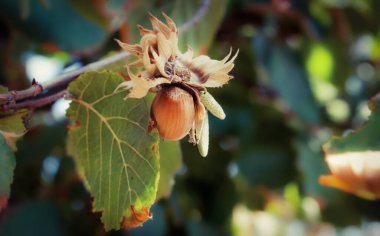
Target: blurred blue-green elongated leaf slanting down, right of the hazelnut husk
<point x="288" y="77"/>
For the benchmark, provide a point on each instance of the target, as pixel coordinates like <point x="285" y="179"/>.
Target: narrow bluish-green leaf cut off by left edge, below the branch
<point x="7" y="165"/>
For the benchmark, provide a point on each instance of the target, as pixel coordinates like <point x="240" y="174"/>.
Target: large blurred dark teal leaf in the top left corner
<point x="56" y="22"/>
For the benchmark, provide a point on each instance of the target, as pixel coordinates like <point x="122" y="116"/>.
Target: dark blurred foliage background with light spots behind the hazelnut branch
<point x="305" y="72"/>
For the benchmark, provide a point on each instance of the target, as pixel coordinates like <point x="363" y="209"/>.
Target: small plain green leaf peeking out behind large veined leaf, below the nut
<point x="170" y="163"/>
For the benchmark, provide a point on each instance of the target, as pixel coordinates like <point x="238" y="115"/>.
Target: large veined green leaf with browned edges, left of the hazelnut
<point x="113" y="151"/>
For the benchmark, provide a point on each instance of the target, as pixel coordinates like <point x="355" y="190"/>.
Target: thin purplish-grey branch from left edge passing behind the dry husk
<point x="9" y="100"/>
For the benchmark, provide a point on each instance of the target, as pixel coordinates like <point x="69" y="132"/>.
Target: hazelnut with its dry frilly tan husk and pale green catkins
<point x="180" y="80"/>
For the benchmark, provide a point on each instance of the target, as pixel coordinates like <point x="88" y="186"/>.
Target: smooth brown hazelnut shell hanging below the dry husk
<point x="173" y="112"/>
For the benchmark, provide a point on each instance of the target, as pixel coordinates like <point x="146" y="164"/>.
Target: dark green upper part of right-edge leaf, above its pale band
<point x="367" y="138"/>
